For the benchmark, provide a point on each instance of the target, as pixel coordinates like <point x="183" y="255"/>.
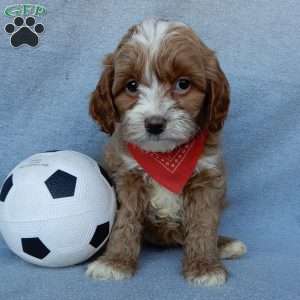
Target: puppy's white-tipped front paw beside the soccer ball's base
<point x="106" y="269"/>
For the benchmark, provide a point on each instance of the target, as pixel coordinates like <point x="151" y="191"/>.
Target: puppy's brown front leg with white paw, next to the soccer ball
<point x="121" y="256"/>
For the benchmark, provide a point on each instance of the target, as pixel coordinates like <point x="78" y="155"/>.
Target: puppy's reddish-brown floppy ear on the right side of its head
<point x="217" y="95"/>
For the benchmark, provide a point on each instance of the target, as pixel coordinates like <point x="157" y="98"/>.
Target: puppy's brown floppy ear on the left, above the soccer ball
<point x="102" y="108"/>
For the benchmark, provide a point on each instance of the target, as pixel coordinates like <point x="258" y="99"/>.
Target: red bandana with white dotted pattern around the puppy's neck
<point x="171" y="169"/>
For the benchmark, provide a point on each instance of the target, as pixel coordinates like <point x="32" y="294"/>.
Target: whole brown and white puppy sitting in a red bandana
<point x="163" y="98"/>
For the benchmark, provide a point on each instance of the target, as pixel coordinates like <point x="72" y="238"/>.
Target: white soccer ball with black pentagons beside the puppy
<point x="57" y="208"/>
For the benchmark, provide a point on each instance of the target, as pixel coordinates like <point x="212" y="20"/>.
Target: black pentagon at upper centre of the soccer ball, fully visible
<point x="61" y="184"/>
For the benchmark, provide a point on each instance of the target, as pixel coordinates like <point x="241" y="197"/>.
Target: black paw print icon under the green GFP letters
<point x="24" y="32"/>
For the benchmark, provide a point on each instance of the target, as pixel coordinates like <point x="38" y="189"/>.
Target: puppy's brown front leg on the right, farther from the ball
<point x="202" y="206"/>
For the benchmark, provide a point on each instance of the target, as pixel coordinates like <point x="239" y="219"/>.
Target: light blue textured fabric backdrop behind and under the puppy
<point x="43" y="105"/>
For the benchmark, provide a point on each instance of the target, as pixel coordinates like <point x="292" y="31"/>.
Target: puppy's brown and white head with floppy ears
<point x="160" y="87"/>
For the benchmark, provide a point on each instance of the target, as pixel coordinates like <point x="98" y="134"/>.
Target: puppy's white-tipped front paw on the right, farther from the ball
<point x="204" y="273"/>
